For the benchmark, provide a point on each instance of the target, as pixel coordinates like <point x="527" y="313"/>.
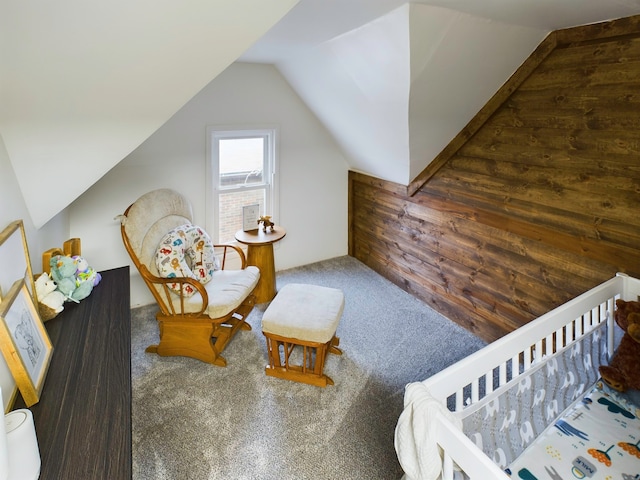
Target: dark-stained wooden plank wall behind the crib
<point x="538" y="199"/>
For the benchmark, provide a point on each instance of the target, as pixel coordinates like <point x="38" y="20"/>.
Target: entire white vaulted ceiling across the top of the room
<point x="83" y="83"/>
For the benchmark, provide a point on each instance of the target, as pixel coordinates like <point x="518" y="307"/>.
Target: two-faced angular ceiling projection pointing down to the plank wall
<point x="395" y="91"/>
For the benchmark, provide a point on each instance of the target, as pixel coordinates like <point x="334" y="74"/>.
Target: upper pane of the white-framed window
<point x="241" y="161"/>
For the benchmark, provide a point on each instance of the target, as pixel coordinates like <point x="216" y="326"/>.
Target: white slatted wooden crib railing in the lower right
<point x="471" y="379"/>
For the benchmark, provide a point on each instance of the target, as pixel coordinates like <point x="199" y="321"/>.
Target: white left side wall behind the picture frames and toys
<point x="13" y="207"/>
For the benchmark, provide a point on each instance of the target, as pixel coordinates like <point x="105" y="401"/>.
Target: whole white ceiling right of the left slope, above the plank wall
<point x="394" y="82"/>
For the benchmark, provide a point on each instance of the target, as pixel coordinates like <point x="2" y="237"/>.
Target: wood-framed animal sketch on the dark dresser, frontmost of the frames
<point x="25" y="344"/>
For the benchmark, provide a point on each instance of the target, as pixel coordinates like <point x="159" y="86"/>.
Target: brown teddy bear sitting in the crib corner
<point x="623" y="372"/>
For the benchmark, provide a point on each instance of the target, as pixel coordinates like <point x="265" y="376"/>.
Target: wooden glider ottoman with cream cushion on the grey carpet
<point x="304" y="316"/>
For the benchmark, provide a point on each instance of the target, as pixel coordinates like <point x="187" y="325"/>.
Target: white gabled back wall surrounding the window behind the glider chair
<point x="313" y="172"/>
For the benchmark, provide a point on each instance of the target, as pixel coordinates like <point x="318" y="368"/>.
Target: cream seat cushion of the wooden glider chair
<point x="227" y="290"/>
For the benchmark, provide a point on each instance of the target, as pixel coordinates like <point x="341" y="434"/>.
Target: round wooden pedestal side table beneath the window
<point x="260" y="253"/>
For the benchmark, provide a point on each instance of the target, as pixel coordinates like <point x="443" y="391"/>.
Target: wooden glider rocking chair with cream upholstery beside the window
<point x="200" y="325"/>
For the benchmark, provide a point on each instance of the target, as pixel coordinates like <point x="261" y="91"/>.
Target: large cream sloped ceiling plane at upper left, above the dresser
<point x="84" y="82"/>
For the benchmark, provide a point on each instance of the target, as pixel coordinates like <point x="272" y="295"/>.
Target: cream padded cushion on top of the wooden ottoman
<point x="304" y="312"/>
